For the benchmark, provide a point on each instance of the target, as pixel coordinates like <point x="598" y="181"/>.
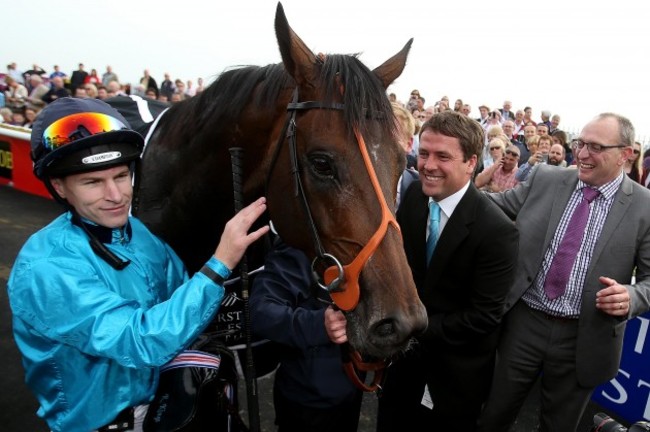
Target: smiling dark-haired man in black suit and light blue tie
<point x="443" y="380"/>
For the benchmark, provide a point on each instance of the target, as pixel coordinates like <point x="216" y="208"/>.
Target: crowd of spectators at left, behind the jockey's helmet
<point x="24" y="93"/>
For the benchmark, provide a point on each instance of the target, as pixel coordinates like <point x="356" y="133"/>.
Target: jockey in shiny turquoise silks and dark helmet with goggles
<point x="99" y="302"/>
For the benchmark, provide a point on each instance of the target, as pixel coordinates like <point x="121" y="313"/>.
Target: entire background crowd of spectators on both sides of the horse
<point x="509" y="133"/>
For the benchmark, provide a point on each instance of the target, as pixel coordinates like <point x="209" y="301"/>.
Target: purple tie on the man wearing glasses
<point x="560" y="270"/>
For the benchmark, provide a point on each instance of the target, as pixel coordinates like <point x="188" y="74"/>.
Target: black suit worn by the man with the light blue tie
<point x="464" y="291"/>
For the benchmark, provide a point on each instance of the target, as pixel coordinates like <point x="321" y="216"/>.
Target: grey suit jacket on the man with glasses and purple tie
<point x="624" y="244"/>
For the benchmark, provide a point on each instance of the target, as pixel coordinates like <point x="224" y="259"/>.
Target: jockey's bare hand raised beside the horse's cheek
<point x="235" y="238"/>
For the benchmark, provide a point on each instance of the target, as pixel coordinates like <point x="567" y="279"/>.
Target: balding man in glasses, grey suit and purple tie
<point x="572" y="337"/>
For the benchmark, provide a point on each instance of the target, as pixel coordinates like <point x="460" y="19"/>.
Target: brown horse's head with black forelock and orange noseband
<point x="337" y="162"/>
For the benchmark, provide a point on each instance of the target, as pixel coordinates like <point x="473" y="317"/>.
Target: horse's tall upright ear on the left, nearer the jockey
<point x="299" y="61"/>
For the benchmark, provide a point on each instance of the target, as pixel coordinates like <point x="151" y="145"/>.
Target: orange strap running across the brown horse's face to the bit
<point x="347" y="297"/>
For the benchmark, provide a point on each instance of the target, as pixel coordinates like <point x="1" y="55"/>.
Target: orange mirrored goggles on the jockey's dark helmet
<point x="76" y="126"/>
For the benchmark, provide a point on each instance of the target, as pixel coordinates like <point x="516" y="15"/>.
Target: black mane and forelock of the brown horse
<point x="223" y="101"/>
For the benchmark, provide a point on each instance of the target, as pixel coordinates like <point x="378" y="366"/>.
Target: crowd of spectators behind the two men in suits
<point x="515" y="142"/>
